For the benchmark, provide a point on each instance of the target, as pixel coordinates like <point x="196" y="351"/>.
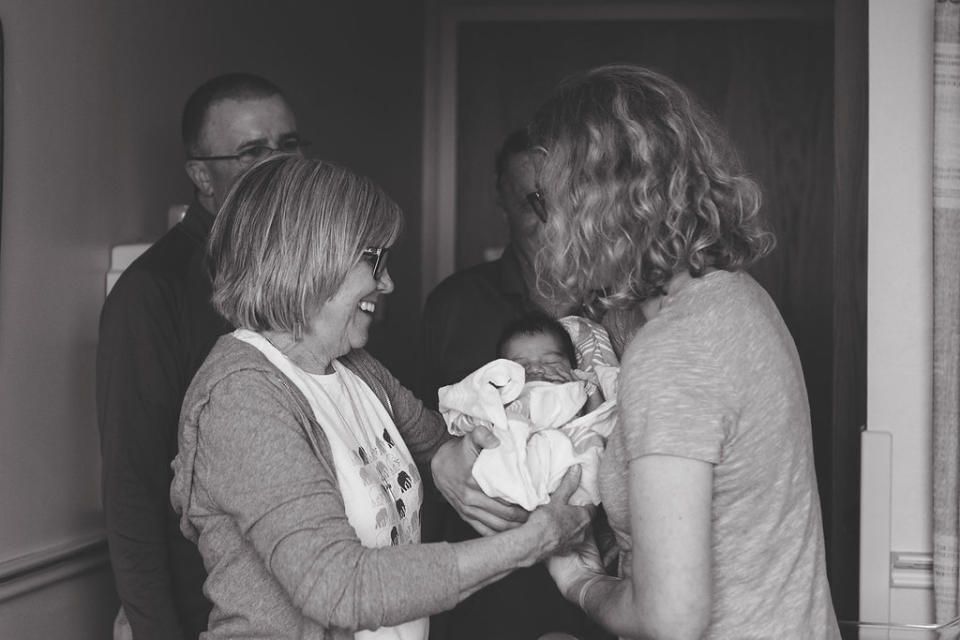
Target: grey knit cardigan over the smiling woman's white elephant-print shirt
<point x="255" y="486"/>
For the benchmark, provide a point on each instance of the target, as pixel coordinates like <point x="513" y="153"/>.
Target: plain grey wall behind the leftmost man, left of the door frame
<point x="91" y="158"/>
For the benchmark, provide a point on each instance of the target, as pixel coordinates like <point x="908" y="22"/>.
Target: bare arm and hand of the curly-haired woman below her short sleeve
<point x="668" y="594"/>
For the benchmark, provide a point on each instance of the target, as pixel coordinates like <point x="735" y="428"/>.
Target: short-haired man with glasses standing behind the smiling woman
<point x="156" y="328"/>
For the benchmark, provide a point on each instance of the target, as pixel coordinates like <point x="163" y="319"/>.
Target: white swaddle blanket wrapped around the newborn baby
<point x="540" y="435"/>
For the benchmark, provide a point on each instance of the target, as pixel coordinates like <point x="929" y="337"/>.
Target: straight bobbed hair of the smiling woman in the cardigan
<point x="287" y="234"/>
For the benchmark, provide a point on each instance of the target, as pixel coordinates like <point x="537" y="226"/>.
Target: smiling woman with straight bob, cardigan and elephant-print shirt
<point x="296" y="472"/>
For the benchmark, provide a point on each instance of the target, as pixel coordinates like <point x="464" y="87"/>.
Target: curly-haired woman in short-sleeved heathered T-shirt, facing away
<point x="708" y="480"/>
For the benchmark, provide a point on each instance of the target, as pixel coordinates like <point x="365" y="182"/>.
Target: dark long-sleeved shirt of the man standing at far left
<point x="156" y="328"/>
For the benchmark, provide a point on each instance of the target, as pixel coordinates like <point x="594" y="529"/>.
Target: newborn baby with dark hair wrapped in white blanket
<point x="547" y="413"/>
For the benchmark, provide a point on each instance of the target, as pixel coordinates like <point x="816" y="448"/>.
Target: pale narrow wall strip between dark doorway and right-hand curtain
<point x="900" y="276"/>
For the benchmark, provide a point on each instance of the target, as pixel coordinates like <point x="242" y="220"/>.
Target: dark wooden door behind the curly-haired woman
<point x="772" y="83"/>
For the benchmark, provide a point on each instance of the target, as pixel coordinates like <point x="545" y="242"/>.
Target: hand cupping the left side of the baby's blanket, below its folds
<point x="452" y="467"/>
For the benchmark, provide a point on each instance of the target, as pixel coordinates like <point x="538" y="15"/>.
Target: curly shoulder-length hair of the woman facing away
<point x="640" y="183"/>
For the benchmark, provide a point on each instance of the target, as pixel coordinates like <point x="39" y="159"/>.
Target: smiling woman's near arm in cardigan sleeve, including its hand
<point x="255" y="466"/>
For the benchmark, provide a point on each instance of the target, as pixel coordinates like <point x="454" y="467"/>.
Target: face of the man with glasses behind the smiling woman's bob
<point x="232" y="126"/>
